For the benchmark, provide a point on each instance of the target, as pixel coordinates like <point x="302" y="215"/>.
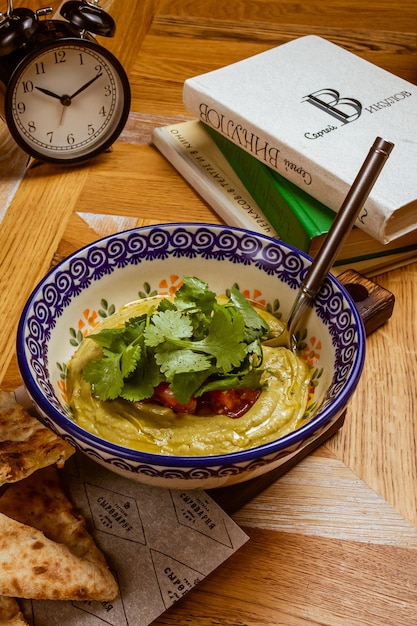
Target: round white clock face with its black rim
<point x="68" y="101"/>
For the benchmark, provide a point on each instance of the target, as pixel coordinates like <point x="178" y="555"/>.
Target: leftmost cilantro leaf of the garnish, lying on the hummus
<point x="105" y="377"/>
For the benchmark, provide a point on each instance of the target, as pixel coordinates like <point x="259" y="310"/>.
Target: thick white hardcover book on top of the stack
<point x="312" y="110"/>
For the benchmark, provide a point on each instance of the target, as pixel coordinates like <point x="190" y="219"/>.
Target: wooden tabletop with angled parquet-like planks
<point x="334" y="541"/>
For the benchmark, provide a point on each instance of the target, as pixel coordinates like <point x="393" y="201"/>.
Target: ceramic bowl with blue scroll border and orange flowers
<point x="95" y="281"/>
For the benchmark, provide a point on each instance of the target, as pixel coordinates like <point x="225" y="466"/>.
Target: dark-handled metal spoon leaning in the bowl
<point x="339" y="230"/>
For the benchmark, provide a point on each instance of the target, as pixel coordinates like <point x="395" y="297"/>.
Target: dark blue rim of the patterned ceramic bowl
<point x="76" y="432"/>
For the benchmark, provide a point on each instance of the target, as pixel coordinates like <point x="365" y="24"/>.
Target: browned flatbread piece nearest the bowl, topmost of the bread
<point x="25" y="443"/>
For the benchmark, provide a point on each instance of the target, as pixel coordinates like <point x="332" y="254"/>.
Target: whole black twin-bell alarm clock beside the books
<point x="64" y="97"/>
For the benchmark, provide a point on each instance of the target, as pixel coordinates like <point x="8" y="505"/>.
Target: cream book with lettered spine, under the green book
<point x="192" y="152"/>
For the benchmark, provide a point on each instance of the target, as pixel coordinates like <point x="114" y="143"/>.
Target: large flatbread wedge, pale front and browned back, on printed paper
<point x="46" y="551"/>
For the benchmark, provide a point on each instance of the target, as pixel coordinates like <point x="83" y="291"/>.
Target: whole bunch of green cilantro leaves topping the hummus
<point x="192" y="342"/>
